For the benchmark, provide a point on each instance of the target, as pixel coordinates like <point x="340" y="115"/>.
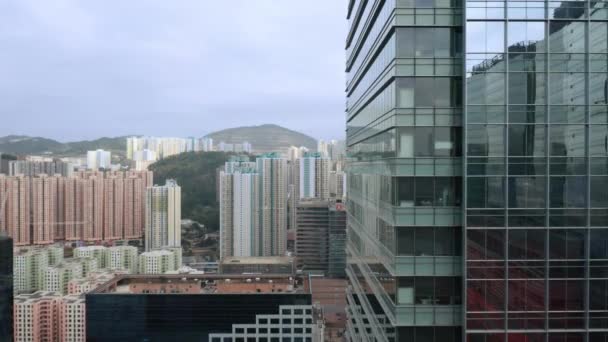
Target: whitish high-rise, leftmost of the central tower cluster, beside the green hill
<point x="238" y="204"/>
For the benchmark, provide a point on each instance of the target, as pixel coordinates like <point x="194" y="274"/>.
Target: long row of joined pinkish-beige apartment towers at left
<point x="91" y="206"/>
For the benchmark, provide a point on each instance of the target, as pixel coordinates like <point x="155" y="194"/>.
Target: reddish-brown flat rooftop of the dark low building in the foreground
<point x="207" y="284"/>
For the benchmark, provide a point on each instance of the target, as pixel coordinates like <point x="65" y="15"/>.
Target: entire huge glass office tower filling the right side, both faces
<point x="505" y="100"/>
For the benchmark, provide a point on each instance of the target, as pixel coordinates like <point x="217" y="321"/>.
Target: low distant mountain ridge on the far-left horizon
<point x="22" y="145"/>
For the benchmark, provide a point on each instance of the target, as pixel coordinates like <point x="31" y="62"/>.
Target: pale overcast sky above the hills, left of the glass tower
<point x="81" y="69"/>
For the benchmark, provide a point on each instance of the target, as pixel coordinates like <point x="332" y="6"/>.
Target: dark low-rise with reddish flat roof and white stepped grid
<point x="228" y="308"/>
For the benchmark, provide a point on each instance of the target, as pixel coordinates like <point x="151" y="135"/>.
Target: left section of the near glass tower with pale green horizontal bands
<point x="404" y="123"/>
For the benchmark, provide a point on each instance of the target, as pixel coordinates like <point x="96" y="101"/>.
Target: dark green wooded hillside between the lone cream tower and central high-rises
<point x="196" y="173"/>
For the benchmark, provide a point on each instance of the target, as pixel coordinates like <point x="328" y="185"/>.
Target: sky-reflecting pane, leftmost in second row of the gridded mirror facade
<point x="485" y="37"/>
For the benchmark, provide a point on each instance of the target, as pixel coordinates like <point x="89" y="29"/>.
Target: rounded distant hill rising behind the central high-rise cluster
<point x="264" y="138"/>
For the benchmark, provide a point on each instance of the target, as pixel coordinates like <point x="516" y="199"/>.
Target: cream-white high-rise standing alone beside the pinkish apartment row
<point x="163" y="216"/>
